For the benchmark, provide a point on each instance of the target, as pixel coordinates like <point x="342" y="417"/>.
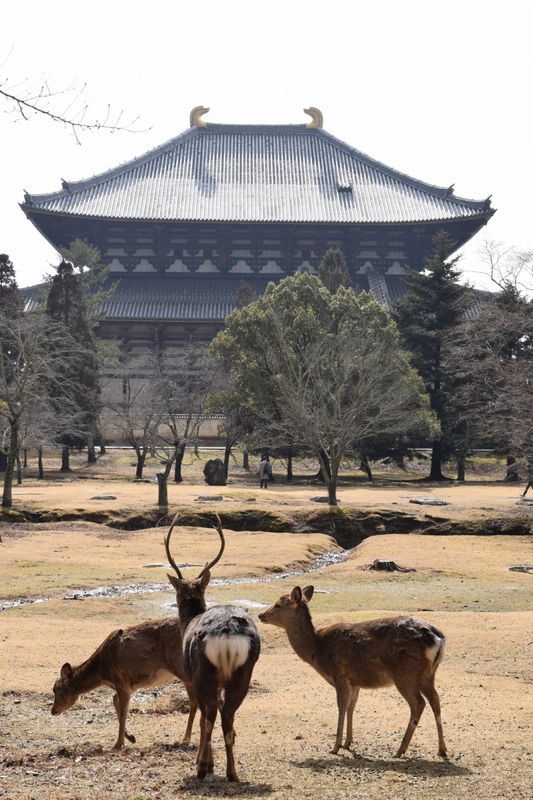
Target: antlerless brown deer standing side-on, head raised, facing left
<point x="403" y="651"/>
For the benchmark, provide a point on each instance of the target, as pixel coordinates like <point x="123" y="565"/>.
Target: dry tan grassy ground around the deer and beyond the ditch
<point x="286" y="726"/>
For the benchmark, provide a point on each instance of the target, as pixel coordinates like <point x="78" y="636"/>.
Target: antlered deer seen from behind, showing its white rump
<point x="220" y="648"/>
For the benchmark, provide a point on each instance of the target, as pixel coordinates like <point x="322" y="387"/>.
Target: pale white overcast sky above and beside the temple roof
<point x="439" y="89"/>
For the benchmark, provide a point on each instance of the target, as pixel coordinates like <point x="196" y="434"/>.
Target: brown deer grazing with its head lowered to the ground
<point x="149" y="654"/>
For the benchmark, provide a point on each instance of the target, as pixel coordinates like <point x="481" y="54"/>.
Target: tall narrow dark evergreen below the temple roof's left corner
<point x="66" y="304"/>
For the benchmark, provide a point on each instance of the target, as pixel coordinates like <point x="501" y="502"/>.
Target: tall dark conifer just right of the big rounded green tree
<point x="434" y="304"/>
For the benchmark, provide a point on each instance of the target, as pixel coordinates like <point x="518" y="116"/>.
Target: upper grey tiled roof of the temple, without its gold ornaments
<point x="263" y="173"/>
